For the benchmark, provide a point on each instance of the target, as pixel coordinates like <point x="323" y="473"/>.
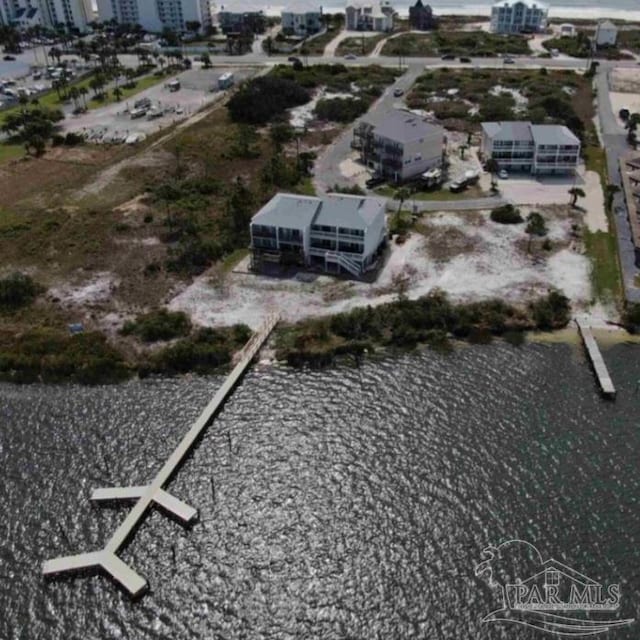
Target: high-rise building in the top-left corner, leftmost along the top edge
<point x="71" y="14"/>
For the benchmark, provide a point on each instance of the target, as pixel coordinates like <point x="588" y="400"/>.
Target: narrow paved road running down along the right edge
<point x="615" y="143"/>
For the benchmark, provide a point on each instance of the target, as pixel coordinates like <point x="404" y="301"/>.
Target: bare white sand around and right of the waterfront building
<point x="496" y="266"/>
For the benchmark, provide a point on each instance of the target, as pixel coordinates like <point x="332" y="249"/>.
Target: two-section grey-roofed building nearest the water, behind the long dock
<point x="336" y="233"/>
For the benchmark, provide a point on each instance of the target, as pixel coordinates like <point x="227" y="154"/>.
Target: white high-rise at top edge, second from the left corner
<point x="156" y="15"/>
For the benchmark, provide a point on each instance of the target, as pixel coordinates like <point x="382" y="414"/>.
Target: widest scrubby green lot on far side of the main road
<point x="461" y="43"/>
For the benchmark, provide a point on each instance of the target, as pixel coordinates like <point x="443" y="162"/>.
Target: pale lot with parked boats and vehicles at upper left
<point x="113" y="123"/>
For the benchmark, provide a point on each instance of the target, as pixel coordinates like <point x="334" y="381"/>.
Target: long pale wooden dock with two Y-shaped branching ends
<point x="146" y="496"/>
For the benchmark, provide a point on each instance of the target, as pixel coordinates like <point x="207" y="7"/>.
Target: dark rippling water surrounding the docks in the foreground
<point x="349" y="503"/>
